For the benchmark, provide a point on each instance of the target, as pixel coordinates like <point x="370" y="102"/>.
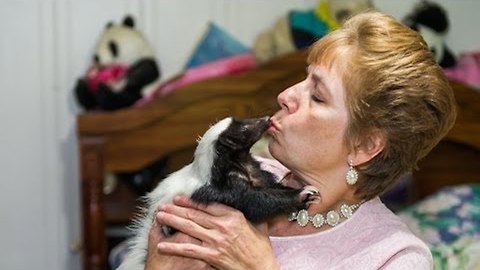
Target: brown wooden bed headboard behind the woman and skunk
<point x="130" y="139"/>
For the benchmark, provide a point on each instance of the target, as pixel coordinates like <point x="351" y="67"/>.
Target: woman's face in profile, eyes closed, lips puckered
<point x="309" y="129"/>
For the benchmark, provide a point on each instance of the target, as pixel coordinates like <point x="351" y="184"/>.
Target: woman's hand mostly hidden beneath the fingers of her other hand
<point x="158" y="261"/>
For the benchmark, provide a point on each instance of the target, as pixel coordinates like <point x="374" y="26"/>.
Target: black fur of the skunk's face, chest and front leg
<point x="237" y="179"/>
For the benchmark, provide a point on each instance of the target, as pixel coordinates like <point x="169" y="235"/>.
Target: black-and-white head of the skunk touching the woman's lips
<point x="230" y="134"/>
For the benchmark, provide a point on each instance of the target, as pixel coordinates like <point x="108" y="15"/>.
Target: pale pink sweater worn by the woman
<point x="373" y="238"/>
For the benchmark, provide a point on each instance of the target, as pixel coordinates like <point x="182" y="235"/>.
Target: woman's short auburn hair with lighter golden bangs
<point x="393" y="85"/>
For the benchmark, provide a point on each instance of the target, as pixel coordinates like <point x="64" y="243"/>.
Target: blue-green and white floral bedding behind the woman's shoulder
<point x="449" y="222"/>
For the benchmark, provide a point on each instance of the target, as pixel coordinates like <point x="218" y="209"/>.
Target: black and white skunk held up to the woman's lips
<point x="223" y="171"/>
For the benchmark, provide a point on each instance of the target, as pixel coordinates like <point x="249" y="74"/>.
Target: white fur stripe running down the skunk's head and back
<point x="184" y="181"/>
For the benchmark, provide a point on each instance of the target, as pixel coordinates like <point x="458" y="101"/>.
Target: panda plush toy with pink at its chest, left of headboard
<point x="124" y="69"/>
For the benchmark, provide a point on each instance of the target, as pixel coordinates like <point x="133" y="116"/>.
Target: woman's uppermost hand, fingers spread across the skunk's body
<point x="226" y="240"/>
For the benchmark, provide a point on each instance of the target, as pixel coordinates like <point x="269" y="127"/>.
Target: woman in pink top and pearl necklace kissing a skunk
<point x="374" y="102"/>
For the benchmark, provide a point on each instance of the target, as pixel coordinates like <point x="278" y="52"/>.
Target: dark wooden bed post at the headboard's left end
<point x="92" y="173"/>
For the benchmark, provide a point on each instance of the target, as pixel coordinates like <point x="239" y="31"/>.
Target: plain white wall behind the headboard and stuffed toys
<point x="45" y="45"/>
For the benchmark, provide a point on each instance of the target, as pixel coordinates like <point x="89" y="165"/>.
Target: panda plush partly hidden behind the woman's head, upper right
<point x="431" y="21"/>
